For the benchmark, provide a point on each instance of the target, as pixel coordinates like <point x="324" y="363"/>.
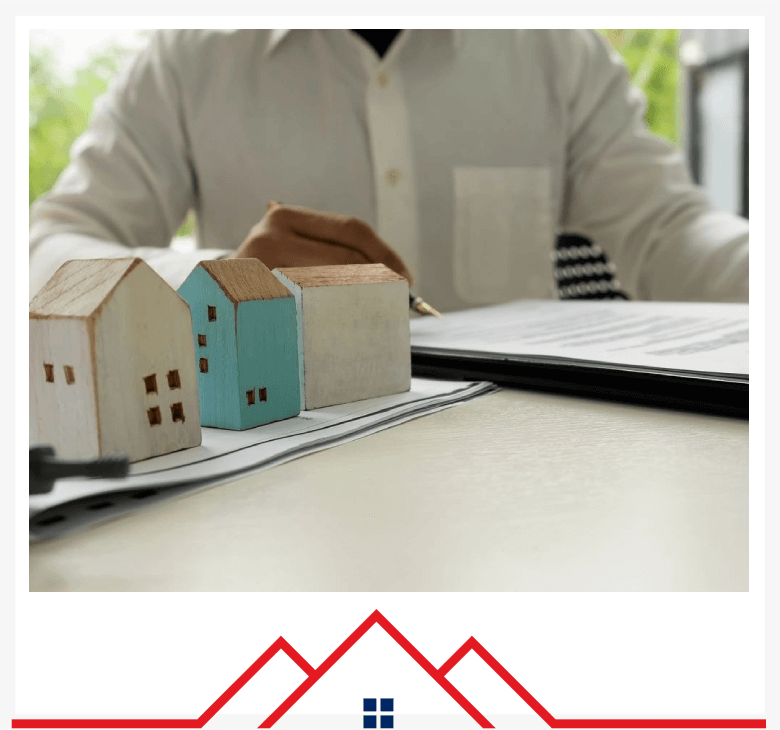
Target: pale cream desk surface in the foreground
<point x="514" y="491"/>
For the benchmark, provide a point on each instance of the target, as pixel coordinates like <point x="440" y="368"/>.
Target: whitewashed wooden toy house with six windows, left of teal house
<point x="111" y="363"/>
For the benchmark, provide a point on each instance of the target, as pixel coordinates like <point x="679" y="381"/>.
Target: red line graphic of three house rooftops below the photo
<point x="439" y="674"/>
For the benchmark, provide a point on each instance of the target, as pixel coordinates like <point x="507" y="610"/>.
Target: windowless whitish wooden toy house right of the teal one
<point x="353" y="329"/>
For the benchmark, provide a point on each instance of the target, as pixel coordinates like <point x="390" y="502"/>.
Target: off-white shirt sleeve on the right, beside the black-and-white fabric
<point x="631" y="193"/>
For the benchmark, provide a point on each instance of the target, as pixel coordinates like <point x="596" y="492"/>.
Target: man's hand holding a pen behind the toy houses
<point x="292" y="236"/>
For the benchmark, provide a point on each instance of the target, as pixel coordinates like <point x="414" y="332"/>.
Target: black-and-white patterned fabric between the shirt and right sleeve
<point x="582" y="270"/>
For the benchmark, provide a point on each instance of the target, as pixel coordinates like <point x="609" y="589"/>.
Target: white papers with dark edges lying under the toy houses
<point x="225" y="455"/>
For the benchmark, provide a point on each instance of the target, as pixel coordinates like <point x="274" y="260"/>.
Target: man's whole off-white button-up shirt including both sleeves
<point x="466" y="150"/>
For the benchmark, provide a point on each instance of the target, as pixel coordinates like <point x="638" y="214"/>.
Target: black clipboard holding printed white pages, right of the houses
<point x="688" y="352"/>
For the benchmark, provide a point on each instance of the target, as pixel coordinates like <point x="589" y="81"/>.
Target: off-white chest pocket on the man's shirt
<point x="503" y="233"/>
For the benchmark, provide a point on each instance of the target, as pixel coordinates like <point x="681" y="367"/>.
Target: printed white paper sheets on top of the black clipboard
<point x="683" y="337"/>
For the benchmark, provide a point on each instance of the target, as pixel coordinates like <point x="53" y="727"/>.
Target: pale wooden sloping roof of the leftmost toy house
<point x="79" y="287"/>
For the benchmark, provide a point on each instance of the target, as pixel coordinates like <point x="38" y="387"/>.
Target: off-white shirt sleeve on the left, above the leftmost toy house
<point x="130" y="181"/>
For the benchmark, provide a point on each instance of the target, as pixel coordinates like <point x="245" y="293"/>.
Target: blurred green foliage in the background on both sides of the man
<point x="60" y="111"/>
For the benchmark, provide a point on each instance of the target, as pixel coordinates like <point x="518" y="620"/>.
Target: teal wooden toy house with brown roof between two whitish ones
<point x="246" y="344"/>
